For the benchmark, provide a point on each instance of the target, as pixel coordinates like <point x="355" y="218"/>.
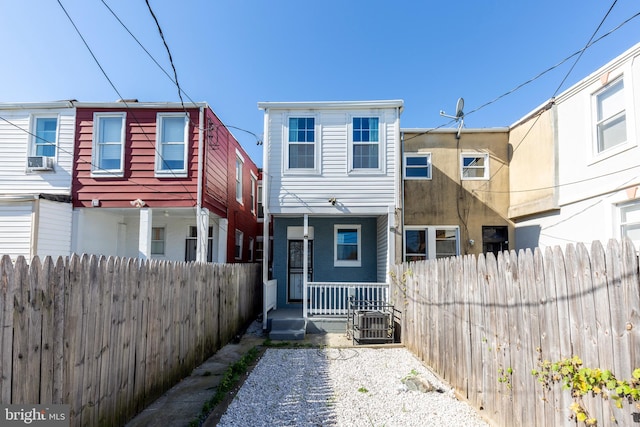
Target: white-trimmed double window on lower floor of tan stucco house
<point x="430" y="242"/>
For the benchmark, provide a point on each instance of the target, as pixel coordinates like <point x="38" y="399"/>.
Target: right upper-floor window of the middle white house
<point x="366" y="143"/>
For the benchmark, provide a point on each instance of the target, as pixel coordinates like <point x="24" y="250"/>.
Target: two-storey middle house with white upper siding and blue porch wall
<point x="330" y="167"/>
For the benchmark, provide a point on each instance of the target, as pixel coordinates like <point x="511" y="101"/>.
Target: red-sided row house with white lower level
<point x="161" y="181"/>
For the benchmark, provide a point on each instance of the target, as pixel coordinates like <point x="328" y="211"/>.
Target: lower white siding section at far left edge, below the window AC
<point x="15" y="229"/>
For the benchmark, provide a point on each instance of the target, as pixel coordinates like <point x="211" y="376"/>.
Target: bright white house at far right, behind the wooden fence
<point x="598" y="167"/>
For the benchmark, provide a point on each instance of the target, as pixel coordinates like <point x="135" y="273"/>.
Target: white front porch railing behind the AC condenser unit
<point x="332" y="298"/>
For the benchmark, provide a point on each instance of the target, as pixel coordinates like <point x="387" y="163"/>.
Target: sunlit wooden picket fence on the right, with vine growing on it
<point x="485" y="323"/>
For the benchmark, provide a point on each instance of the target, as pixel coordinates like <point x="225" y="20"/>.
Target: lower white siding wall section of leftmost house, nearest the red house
<point x="54" y="229"/>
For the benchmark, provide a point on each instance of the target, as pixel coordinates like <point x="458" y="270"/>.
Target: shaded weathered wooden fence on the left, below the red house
<point x="109" y="335"/>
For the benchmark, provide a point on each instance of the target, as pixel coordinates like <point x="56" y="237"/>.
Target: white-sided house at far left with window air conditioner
<point x="36" y="201"/>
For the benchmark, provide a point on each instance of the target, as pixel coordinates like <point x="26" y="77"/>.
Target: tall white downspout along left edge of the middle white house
<point x="266" y="219"/>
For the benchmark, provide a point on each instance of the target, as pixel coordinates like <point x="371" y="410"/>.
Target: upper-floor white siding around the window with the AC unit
<point x="14" y="149"/>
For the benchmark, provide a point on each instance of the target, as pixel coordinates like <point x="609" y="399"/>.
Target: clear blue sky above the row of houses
<point x="235" y="53"/>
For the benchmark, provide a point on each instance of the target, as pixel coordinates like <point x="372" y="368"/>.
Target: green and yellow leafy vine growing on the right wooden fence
<point x="581" y="381"/>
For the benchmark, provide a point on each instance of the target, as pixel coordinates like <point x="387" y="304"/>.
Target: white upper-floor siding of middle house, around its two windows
<point x="299" y="193"/>
